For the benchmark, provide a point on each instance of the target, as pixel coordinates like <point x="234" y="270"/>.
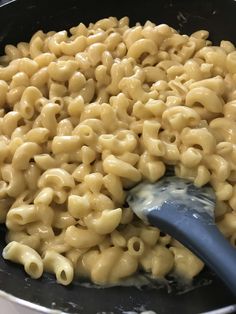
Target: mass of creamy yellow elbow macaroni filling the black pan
<point x="87" y="114"/>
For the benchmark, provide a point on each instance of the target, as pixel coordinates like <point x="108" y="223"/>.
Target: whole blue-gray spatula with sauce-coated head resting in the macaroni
<point x="186" y="212"/>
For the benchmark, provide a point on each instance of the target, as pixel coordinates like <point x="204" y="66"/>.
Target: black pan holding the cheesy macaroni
<point x="18" y="21"/>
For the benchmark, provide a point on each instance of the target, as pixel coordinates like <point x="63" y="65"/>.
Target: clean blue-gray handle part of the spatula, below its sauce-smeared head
<point x="204" y="239"/>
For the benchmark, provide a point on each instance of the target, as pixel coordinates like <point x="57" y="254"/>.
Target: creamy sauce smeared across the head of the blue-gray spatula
<point x="146" y="197"/>
